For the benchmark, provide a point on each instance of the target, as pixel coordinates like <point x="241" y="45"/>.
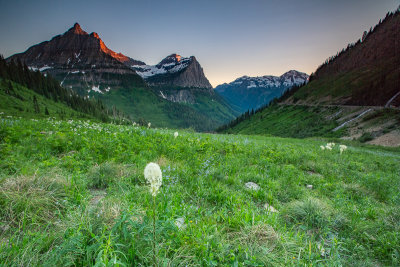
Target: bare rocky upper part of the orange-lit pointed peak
<point x="80" y="61"/>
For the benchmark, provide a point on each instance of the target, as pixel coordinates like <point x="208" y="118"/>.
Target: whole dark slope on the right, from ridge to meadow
<point x="353" y="95"/>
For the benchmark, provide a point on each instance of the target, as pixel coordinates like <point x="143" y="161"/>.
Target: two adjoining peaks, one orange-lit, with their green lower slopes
<point x="174" y="93"/>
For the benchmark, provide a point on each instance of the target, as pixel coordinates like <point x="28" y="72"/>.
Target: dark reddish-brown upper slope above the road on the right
<point x="366" y="73"/>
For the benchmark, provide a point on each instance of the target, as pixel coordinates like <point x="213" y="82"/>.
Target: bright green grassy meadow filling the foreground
<point x="73" y="193"/>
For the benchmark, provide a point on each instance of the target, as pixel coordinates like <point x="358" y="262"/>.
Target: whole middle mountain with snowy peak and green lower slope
<point x="181" y="80"/>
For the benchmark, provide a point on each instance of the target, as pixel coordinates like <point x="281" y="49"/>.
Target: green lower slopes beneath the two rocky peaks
<point x="142" y="104"/>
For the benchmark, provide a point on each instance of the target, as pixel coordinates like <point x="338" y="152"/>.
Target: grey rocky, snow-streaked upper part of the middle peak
<point x="174" y="71"/>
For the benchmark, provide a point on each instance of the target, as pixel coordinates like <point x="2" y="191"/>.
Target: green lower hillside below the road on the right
<point x="376" y="126"/>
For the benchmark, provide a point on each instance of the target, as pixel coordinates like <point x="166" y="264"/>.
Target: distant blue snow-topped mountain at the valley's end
<point x="252" y="92"/>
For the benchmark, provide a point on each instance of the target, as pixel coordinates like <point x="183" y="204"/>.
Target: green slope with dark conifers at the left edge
<point x="29" y="93"/>
